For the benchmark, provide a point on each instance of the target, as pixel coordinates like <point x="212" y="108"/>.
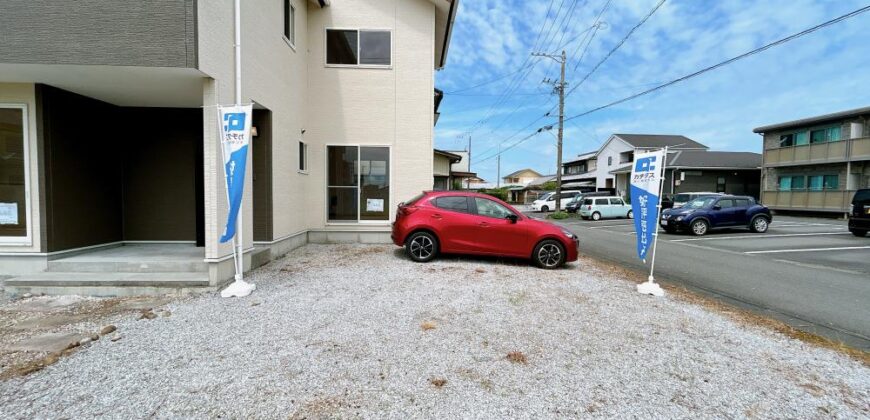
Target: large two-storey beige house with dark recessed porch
<point x="109" y="130"/>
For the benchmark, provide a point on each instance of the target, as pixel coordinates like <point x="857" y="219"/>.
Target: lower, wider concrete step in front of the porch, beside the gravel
<point x="107" y="284"/>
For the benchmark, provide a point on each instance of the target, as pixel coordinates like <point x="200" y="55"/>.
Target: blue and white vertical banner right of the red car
<point x="646" y="176"/>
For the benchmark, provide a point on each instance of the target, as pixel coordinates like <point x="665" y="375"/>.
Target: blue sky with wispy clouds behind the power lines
<point x="823" y="72"/>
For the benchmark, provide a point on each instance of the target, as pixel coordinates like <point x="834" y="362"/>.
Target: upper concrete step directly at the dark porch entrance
<point x="84" y="266"/>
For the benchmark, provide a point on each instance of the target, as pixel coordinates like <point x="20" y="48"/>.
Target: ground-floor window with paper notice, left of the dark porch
<point x="13" y="174"/>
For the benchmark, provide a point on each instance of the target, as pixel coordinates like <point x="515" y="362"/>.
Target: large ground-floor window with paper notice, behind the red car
<point x="358" y="183"/>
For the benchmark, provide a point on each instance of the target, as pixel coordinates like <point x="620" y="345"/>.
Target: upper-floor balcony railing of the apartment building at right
<point x="835" y="151"/>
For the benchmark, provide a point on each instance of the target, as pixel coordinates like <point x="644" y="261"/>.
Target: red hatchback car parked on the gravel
<point x="456" y="222"/>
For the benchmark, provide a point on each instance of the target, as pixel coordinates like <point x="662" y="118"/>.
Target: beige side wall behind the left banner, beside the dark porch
<point x="274" y="78"/>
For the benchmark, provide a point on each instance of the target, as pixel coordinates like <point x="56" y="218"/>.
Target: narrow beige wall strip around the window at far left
<point x="24" y="94"/>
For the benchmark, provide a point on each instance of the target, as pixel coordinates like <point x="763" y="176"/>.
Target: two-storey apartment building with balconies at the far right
<point x="816" y="164"/>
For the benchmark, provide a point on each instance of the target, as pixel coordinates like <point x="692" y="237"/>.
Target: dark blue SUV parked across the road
<point x="704" y="213"/>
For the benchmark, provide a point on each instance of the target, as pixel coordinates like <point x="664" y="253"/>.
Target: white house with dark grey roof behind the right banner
<point x="592" y="171"/>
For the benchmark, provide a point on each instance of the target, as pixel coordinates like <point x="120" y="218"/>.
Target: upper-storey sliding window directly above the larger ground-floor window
<point x="352" y="47"/>
